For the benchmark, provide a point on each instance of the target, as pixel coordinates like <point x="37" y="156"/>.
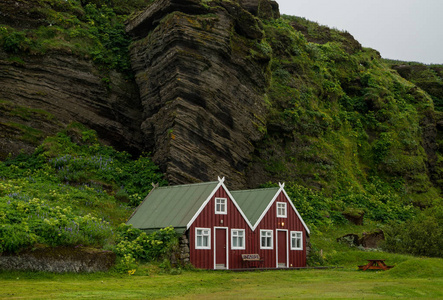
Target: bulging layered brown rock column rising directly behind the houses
<point x="202" y="78"/>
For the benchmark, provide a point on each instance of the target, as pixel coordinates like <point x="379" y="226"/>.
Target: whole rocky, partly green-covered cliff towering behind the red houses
<point x="221" y="88"/>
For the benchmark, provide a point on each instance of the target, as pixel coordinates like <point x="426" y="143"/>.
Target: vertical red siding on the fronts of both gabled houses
<point x="233" y="220"/>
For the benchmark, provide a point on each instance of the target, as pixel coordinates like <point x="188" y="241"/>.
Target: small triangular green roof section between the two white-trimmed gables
<point x="254" y="202"/>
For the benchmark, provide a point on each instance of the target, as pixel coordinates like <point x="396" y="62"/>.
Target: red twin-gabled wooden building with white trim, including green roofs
<point x="219" y="226"/>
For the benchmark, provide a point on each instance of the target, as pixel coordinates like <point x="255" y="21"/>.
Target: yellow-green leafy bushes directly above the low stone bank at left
<point x="27" y="221"/>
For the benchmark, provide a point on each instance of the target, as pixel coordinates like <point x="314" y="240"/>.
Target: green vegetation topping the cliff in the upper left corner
<point x="89" y="29"/>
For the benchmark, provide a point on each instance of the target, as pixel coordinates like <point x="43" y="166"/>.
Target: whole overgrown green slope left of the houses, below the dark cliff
<point x="70" y="193"/>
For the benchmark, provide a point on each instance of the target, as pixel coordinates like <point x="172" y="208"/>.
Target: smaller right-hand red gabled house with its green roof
<point x="279" y="233"/>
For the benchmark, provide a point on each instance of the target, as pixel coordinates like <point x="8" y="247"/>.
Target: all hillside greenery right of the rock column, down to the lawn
<point x="347" y="125"/>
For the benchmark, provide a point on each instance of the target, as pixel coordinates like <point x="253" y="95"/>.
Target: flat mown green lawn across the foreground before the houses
<point x="413" y="278"/>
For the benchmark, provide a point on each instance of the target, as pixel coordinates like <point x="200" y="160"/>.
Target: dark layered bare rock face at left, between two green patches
<point x="42" y="94"/>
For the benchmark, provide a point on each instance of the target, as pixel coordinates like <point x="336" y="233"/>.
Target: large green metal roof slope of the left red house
<point x="171" y="205"/>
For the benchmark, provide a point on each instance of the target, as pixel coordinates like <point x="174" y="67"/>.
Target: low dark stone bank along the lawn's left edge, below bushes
<point x="59" y="260"/>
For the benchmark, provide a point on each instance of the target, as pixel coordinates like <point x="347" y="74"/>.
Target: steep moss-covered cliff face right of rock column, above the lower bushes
<point x="339" y="114"/>
